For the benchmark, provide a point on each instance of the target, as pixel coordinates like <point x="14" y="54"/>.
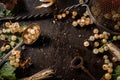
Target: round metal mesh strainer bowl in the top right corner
<point x="103" y="12"/>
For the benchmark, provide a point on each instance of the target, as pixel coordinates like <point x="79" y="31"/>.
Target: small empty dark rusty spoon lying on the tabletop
<point x="77" y="63"/>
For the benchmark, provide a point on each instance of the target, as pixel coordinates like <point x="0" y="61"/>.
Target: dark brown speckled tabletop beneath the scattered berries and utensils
<point x="58" y="44"/>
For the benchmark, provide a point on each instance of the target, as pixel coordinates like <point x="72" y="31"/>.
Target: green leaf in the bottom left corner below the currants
<point x="7" y="71"/>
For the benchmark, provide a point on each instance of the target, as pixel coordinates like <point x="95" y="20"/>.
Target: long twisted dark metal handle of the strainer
<point x="37" y="16"/>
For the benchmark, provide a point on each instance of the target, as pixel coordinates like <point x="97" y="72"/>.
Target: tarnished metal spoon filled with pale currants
<point x="3" y="60"/>
